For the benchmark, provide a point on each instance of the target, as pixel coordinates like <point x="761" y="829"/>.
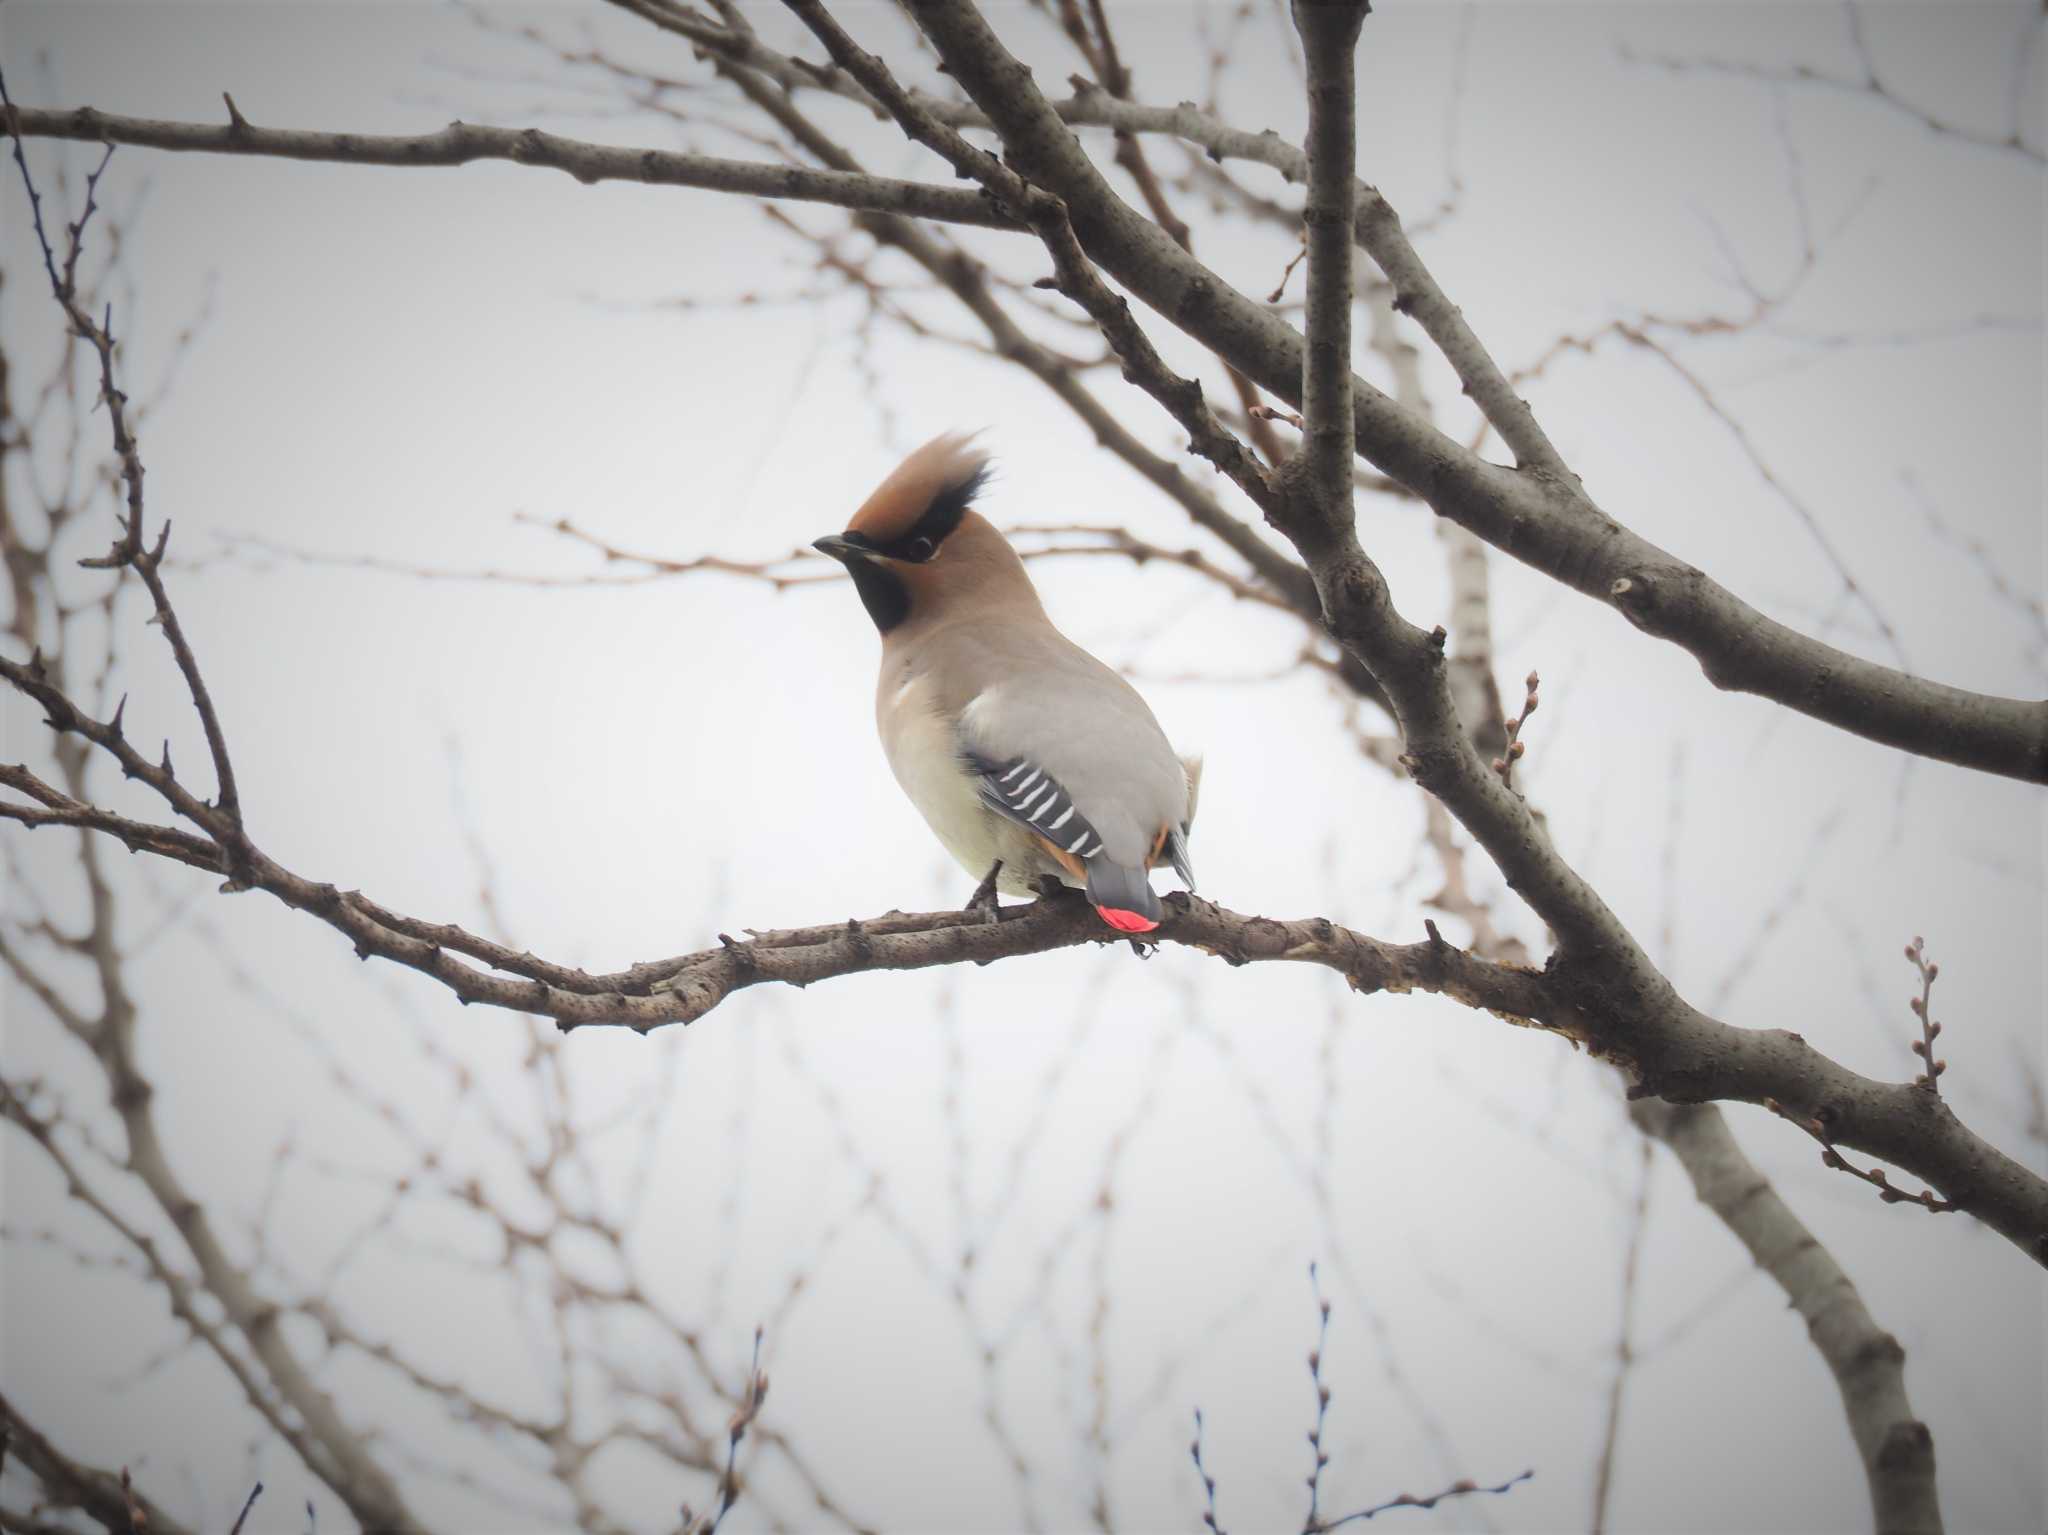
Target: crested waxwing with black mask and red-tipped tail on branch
<point x="1029" y="758"/>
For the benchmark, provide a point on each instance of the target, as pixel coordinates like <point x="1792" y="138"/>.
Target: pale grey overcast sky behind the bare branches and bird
<point x="407" y="367"/>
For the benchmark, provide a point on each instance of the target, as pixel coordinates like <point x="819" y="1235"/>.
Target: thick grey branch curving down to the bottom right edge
<point x="1869" y="1366"/>
